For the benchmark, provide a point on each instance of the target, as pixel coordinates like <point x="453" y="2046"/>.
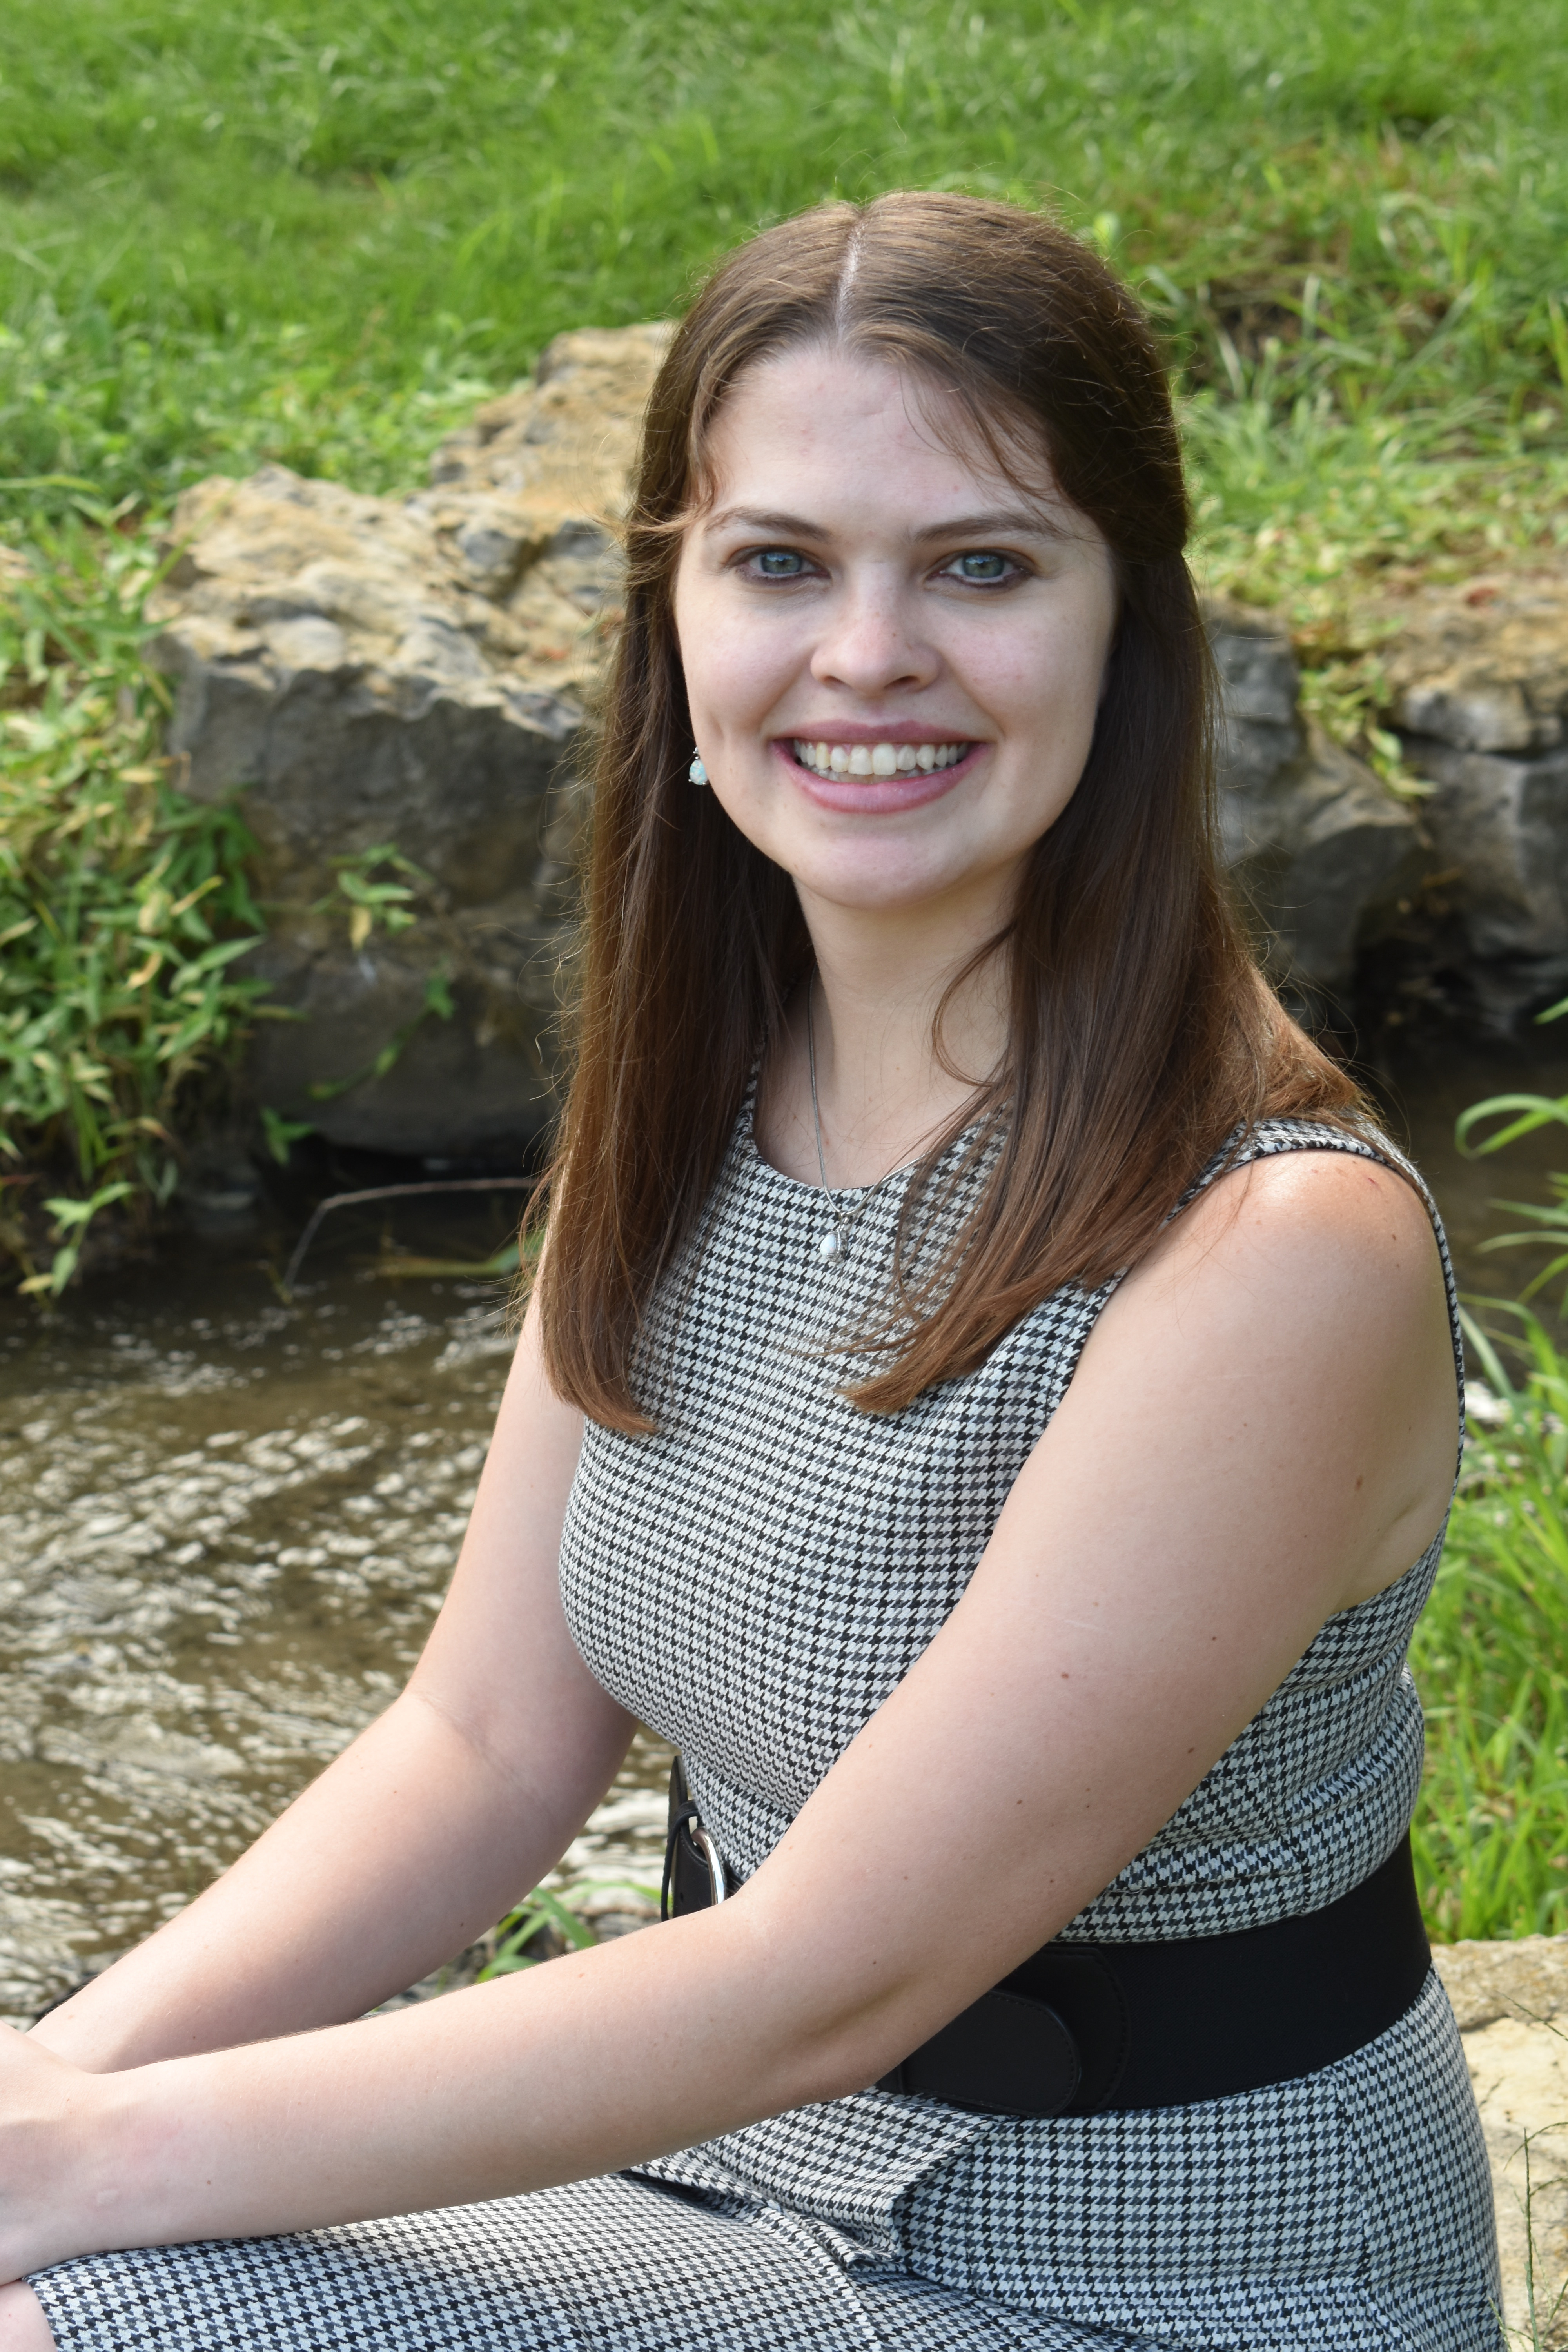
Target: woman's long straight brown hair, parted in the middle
<point x="1141" y="1034"/>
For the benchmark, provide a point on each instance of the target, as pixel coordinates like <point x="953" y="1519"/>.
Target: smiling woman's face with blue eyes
<point x="892" y="655"/>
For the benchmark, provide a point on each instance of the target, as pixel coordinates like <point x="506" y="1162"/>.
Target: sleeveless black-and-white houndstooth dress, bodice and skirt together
<point x="753" y="1582"/>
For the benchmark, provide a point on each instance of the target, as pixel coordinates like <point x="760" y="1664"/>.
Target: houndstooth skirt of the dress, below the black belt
<point x="1348" y="2212"/>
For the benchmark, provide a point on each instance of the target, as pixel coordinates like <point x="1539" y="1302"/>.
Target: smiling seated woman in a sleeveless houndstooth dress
<point x="1014" y="1561"/>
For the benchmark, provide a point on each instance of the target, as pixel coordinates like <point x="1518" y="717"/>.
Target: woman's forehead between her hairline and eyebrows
<point x="862" y="427"/>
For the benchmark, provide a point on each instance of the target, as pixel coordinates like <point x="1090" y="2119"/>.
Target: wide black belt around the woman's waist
<point x="1087" y="2029"/>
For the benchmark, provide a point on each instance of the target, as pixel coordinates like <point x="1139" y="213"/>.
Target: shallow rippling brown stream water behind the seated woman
<point x="227" y="1525"/>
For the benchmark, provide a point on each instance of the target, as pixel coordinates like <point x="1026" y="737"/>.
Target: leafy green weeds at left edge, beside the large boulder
<point x="123" y="907"/>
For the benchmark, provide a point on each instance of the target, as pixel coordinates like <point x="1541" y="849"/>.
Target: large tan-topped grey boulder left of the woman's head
<point x="413" y="674"/>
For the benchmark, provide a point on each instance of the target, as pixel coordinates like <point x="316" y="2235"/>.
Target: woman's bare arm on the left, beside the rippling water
<point x="427" y="1829"/>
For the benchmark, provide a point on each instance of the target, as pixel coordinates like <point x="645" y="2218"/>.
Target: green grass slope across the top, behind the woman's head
<point x="316" y="234"/>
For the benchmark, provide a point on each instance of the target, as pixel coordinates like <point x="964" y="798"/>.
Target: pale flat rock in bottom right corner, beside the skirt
<point x="1508" y="2000"/>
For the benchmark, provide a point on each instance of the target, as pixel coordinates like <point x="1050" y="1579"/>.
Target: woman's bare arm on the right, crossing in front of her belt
<point x="1261" y="1434"/>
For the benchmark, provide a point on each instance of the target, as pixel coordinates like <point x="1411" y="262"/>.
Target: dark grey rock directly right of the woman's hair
<point x="1318" y="846"/>
